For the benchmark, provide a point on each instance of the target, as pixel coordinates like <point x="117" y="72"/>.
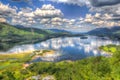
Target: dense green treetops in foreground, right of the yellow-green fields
<point x="94" y="68"/>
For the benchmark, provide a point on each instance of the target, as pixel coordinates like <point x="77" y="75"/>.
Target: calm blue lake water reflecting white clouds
<point x="69" y="48"/>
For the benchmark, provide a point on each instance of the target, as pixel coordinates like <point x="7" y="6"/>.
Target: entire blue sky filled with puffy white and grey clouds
<point x="62" y="14"/>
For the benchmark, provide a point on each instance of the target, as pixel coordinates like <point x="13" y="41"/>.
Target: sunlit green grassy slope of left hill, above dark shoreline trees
<point x="8" y="32"/>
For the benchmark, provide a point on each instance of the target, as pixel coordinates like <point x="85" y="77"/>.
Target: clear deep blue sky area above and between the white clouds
<point x="69" y="10"/>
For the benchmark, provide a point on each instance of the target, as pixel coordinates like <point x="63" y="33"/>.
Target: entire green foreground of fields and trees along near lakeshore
<point x="93" y="68"/>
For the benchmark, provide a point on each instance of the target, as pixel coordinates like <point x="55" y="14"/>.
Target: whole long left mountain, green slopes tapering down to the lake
<point x="15" y="35"/>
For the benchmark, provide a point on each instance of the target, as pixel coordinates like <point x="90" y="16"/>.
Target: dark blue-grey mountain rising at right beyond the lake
<point x="113" y="32"/>
